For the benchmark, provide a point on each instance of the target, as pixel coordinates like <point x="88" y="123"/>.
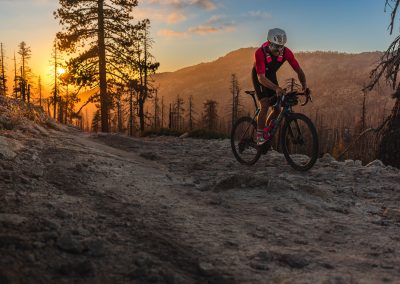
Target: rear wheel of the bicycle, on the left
<point x="243" y="141"/>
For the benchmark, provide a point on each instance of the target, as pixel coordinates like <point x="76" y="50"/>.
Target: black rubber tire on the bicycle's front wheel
<point x="292" y="122"/>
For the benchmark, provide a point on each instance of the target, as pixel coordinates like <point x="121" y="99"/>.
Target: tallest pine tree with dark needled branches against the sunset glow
<point x="94" y="27"/>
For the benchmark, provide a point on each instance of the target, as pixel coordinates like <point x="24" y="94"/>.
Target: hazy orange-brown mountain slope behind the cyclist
<point x="335" y="78"/>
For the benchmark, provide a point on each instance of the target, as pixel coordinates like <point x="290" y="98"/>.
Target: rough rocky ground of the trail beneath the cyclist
<point x="80" y="208"/>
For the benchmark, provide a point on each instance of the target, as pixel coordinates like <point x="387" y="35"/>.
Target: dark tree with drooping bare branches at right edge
<point x="388" y="68"/>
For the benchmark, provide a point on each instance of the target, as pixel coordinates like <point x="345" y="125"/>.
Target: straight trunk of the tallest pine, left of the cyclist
<point x="102" y="68"/>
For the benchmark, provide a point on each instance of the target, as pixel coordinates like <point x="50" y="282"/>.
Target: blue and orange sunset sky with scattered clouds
<point x="188" y="32"/>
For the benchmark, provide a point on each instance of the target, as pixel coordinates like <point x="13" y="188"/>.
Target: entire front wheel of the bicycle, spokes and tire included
<point x="299" y="141"/>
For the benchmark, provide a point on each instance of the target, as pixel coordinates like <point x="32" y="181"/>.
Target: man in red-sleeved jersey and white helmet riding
<point x="268" y="59"/>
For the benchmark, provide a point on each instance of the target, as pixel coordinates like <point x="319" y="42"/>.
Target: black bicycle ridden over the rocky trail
<point x="298" y="137"/>
